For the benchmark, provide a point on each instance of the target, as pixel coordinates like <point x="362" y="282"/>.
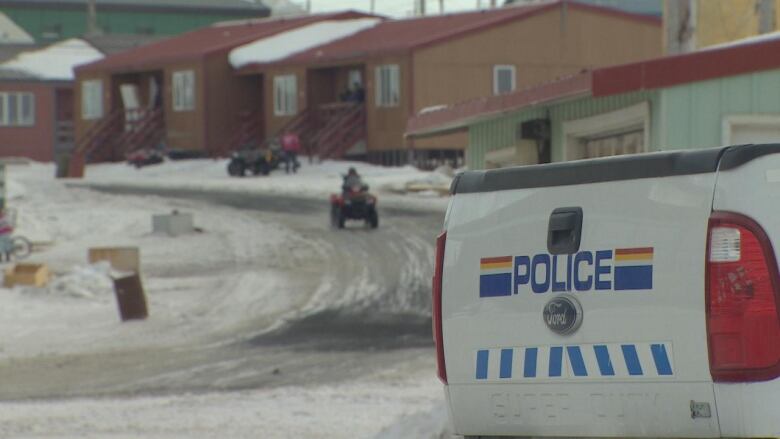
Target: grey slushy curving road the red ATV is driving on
<point x="361" y="304"/>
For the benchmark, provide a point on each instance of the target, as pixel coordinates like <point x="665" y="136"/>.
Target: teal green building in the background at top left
<point x="53" y="20"/>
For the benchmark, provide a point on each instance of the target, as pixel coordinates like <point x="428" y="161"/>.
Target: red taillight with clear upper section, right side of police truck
<point x="742" y="300"/>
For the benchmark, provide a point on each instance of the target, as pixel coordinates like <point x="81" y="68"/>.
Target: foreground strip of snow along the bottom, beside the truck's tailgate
<point x="385" y="406"/>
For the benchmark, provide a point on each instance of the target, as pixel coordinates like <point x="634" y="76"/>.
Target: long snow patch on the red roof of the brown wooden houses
<point x="298" y="40"/>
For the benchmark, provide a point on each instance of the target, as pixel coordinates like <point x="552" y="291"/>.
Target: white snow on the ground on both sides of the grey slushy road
<point x="234" y="254"/>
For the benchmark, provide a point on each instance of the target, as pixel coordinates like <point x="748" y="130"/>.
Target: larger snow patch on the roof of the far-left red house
<point x="55" y="62"/>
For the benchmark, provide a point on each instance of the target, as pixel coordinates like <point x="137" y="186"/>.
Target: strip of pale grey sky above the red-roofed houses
<point x="397" y="8"/>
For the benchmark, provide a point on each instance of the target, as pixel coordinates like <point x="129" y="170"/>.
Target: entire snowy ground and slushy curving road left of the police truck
<point x="265" y="323"/>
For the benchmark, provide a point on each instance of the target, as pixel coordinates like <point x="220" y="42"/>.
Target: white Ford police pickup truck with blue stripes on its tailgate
<point x="633" y="296"/>
